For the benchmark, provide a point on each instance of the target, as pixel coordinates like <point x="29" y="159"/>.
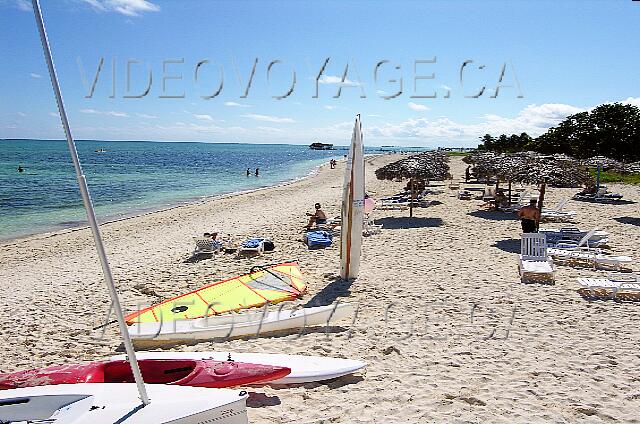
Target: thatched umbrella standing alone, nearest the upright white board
<point x="424" y="166"/>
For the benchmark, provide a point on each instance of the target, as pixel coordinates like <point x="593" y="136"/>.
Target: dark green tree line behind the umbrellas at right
<point x="611" y="130"/>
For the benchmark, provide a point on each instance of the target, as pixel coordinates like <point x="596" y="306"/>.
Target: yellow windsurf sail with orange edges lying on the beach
<point x="271" y="284"/>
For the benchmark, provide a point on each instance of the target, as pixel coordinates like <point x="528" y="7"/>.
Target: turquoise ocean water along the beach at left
<point x="133" y="177"/>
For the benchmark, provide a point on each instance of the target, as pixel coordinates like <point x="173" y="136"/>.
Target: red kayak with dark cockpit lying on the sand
<point x="181" y="372"/>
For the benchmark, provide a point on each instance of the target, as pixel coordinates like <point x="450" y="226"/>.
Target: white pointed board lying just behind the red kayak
<point x="304" y="369"/>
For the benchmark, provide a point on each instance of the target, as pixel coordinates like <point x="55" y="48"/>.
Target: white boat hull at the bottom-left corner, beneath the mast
<point x="104" y="403"/>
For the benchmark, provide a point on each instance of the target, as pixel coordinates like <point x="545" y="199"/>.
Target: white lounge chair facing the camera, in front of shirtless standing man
<point x="535" y="265"/>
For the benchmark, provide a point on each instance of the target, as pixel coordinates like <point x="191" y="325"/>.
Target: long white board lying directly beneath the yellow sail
<point x="238" y="325"/>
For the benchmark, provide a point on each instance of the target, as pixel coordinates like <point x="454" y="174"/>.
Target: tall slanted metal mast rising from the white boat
<point x="88" y="205"/>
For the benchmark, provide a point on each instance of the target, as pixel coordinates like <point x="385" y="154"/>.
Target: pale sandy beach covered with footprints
<point x="449" y="332"/>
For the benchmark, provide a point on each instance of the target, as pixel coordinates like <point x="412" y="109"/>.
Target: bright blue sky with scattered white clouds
<point x="559" y="58"/>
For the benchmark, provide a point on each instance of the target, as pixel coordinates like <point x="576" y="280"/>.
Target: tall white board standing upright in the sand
<point x="352" y="207"/>
